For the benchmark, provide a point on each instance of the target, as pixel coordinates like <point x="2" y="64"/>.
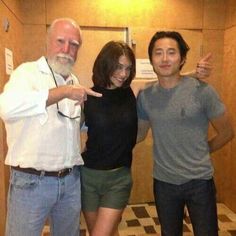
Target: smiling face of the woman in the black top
<point x="121" y="73"/>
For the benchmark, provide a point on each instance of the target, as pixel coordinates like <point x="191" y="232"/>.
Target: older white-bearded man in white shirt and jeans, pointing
<point x="40" y="106"/>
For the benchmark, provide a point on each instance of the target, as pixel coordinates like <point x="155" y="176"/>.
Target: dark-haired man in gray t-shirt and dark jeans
<point x="179" y="111"/>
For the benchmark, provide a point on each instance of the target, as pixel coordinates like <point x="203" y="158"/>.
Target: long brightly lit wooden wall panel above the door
<point x="149" y="13"/>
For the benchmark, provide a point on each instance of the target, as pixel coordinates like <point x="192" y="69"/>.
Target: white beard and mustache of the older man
<point x="61" y="64"/>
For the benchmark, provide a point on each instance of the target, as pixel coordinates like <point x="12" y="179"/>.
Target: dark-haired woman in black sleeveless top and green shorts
<point x="112" y="132"/>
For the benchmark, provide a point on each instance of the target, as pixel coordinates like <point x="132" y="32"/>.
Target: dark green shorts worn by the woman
<point x="105" y="188"/>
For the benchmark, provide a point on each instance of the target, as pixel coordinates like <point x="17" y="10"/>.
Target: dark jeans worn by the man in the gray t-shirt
<point x="200" y="198"/>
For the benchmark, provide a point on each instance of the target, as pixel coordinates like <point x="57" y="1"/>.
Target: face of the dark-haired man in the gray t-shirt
<point x="166" y="59"/>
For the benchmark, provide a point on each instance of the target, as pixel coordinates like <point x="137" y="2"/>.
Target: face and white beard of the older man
<point x="63" y="44"/>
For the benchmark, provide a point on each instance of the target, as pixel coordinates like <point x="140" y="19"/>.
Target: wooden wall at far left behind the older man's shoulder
<point x="12" y="39"/>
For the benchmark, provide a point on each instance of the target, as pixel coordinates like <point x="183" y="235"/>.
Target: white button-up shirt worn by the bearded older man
<point x="37" y="136"/>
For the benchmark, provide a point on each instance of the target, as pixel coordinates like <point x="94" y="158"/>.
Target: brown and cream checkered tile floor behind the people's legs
<point x="140" y="220"/>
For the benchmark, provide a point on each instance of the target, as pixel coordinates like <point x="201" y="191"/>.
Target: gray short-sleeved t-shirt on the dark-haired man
<point x="179" y="119"/>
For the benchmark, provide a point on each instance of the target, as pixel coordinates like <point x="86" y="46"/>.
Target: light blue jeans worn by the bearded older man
<point x="33" y="199"/>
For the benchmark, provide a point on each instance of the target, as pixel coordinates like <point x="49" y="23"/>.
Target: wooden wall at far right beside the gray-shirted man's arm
<point x="228" y="164"/>
